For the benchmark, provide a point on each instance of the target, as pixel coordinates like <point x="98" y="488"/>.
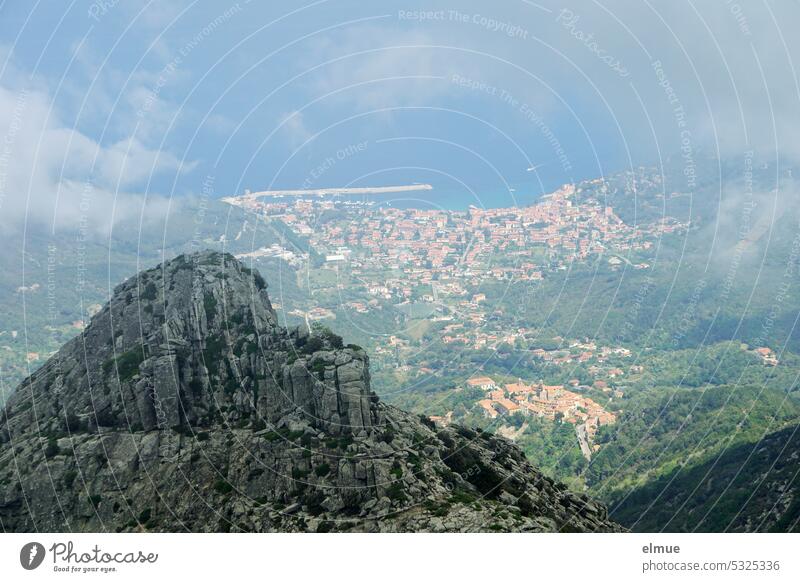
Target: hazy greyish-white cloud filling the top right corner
<point x="713" y="54"/>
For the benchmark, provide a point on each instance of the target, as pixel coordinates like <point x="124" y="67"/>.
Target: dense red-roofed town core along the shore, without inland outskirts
<point x="444" y="252"/>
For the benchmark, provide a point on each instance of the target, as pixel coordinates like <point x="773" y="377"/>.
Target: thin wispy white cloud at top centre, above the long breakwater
<point x="387" y="65"/>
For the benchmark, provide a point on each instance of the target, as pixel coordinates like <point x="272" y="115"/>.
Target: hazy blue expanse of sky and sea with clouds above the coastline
<point x="103" y="103"/>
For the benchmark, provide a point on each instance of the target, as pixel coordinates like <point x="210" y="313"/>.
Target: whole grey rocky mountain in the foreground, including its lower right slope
<point x="184" y="406"/>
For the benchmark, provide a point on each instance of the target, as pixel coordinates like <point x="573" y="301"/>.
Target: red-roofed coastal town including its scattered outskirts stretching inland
<point x="434" y="265"/>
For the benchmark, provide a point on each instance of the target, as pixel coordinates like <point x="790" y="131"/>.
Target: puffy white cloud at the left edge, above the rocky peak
<point x="51" y="174"/>
